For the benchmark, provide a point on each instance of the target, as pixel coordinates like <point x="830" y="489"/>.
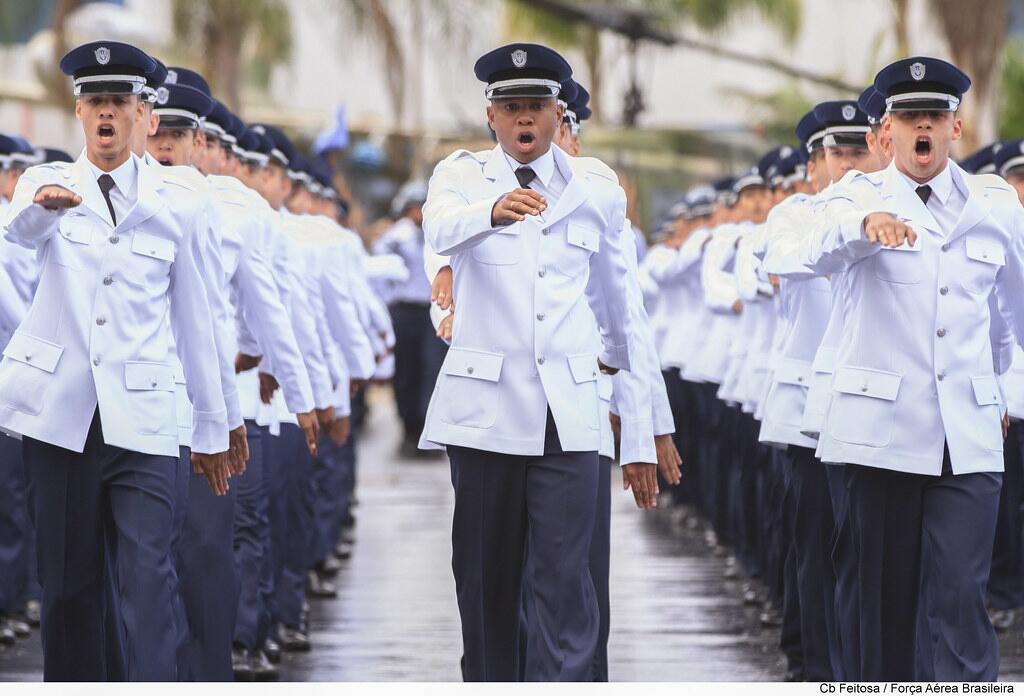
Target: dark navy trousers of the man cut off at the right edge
<point x="1006" y="585"/>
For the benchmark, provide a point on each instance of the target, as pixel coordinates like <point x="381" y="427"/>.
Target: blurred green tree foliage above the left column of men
<point x="231" y="36"/>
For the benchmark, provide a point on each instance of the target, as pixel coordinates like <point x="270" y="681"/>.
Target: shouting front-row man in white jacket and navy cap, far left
<point x="87" y="379"/>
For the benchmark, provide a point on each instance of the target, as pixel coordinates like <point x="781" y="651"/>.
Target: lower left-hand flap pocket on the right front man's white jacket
<point x="864" y="409"/>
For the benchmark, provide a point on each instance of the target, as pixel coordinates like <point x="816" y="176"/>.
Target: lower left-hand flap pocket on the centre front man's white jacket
<point x="472" y="394"/>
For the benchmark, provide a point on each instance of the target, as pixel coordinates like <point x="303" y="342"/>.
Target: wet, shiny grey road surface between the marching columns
<point x="674" y="617"/>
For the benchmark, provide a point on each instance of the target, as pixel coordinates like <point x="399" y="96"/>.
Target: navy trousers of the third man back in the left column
<point x="252" y="542"/>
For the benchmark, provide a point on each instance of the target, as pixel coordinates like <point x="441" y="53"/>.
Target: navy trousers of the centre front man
<point x="501" y="501"/>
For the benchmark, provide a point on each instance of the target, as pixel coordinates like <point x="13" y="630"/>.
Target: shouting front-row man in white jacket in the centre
<point x="557" y="236"/>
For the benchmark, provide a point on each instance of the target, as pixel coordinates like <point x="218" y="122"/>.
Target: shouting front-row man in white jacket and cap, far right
<point x="917" y="419"/>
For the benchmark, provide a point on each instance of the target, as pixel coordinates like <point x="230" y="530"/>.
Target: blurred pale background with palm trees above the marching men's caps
<point x="685" y="91"/>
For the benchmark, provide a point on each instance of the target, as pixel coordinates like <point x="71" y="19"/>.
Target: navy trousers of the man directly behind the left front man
<point x="209" y="578"/>
